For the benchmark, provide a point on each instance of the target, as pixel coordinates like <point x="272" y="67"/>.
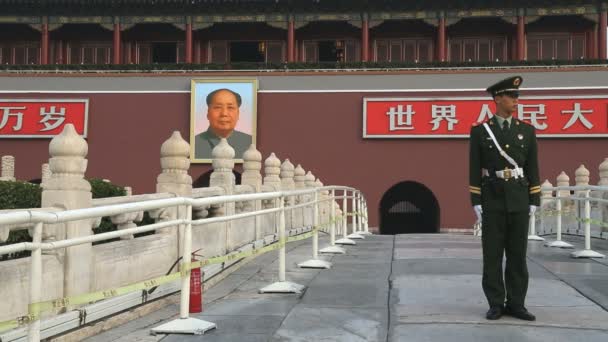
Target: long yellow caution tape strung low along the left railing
<point x="35" y="309"/>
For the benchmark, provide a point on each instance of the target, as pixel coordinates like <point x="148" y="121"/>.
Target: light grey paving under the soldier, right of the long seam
<point x="437" y="295"/>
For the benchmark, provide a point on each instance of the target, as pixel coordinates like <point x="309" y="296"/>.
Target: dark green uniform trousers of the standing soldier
<point x="506" y="233"/>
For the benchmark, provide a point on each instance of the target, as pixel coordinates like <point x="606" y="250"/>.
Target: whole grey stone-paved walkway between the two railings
<point x="397" y="288"/>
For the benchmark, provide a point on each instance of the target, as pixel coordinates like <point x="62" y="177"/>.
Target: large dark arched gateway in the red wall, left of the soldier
<point x="409" y="207"/>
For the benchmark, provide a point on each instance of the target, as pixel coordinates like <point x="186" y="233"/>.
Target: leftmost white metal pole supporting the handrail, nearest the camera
<point x="35" y="283"/>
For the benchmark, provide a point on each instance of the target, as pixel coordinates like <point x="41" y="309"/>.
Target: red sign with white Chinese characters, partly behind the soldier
<point x="452" y="117"/>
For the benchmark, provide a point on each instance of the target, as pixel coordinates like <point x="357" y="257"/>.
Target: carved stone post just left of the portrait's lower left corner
<point x="174" y="177"/>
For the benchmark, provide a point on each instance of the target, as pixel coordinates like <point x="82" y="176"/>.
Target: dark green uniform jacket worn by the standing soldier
<point x="496" y="194"/>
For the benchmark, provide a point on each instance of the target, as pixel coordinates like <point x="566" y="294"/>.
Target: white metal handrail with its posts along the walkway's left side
<point x="39" y="218"/>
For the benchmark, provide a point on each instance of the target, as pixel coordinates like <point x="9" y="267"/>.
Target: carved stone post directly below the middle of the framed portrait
<point x="222" y="176"/>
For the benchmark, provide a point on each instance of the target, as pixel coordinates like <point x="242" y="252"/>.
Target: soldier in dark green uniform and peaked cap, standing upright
<point x="505" y="191"/>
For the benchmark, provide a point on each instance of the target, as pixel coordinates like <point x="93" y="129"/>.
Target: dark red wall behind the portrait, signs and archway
<point x="321" y="131"/>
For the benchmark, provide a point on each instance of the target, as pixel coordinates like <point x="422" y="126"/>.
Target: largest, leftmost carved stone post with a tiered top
<point x="67" y="189"/>
